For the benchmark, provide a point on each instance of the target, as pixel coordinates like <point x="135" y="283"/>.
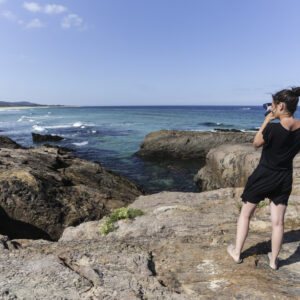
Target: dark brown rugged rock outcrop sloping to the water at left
<point x="44" y="189"/>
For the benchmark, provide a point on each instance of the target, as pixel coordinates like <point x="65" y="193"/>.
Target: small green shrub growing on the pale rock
<point x="118" y="214"/>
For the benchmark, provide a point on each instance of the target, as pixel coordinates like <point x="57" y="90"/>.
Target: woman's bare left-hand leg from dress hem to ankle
<point x="247" y="211"/>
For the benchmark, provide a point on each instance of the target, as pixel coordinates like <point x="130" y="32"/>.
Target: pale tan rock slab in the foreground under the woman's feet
<point x="176" y="251"/>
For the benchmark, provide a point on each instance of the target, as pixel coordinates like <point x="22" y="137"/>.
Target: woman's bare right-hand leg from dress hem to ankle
<point x="277" y="219"/>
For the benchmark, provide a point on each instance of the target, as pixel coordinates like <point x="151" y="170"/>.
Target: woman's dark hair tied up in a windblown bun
<point x="289" y="97"/>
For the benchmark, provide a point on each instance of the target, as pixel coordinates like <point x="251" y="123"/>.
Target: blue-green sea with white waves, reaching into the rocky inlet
<point x="112" y="134"/>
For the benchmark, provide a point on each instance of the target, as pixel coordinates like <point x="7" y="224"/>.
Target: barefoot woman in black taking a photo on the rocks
<point x="273" y="176"/>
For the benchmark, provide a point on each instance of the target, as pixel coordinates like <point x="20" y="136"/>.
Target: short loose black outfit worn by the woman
<point x="273" y="177"/>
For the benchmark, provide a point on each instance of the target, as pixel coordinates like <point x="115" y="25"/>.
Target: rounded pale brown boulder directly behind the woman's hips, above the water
<point x="231" y="165"/>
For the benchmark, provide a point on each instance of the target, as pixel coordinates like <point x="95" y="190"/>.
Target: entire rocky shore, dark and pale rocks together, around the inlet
<point x="53" y="205"/>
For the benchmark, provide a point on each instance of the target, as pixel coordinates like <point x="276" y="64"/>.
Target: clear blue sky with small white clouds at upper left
<point x="148" y="52"/>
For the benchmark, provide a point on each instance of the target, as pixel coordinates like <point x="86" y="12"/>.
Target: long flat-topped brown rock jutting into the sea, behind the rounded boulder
<point x="178" y="144"/>
